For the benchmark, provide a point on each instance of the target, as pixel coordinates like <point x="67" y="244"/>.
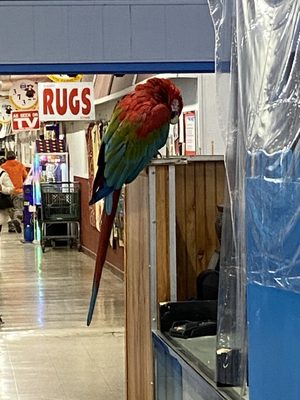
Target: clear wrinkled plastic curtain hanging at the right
<point x="257" y="68"/>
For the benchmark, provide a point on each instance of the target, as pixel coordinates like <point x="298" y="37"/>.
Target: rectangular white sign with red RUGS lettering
<point x="66" y="101"/>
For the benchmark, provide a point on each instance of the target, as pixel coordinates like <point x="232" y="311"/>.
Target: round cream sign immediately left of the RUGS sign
<point x="24" y="94"/>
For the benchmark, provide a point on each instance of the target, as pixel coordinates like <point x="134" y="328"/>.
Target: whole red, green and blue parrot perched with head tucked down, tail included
<point x="138" y="128"/>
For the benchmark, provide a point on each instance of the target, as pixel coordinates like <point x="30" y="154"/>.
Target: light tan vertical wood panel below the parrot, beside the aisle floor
<point x="139" y="358"/>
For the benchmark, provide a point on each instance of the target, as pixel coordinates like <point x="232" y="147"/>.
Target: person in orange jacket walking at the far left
<point x="17" y="173"/>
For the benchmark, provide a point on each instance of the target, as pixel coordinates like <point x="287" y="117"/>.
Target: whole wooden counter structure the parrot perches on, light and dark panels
<point x="197" y="189"/>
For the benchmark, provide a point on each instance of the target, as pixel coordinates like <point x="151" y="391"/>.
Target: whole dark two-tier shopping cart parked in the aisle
<point x="60" y="214"/>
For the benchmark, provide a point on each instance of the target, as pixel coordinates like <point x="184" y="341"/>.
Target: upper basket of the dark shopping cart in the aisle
<point x="60" y="201"/>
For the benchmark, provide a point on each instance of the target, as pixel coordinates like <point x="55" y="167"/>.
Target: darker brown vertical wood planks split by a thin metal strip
<point x="199" y="189"/>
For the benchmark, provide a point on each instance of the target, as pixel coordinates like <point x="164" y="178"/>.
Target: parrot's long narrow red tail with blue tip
<point x="105" y="229"/>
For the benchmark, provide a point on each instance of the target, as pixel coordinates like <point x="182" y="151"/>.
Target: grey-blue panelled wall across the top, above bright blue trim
<point x="104" y="32"/>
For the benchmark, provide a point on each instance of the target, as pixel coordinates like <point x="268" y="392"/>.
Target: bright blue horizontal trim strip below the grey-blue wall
<point x="110" y="68"/>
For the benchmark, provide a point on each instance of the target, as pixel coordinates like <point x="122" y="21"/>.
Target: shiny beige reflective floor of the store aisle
<point x="46" y="350"/>
